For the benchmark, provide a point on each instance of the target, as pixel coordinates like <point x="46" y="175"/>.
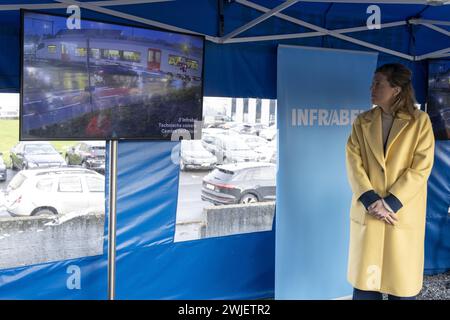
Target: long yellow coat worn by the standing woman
<point x="382" y="257"/>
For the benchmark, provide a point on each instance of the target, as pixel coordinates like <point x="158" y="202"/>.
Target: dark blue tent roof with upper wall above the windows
<point x="243" y="34"/>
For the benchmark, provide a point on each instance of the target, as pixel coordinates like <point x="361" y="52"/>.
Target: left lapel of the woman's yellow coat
<point x="372" y="132"/>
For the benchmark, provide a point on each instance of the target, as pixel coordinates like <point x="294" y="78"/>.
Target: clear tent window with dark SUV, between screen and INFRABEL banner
<point x="227" y="181"/>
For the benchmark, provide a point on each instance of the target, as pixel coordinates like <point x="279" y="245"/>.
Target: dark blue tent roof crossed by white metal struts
<point x="431" y="14"/>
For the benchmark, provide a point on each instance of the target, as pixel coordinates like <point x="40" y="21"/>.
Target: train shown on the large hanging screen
<point x="120" y="55"/>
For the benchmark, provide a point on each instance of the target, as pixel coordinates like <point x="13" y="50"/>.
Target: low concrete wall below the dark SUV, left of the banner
<point x="235" y="219"/>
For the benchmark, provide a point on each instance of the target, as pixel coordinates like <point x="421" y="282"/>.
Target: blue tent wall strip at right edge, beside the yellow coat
<point x="437" y="236"/>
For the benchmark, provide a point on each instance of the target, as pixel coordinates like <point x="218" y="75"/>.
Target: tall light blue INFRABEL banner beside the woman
<point x="313" y="195"/>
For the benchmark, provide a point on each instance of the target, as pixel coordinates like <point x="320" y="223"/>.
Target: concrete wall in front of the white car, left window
<point x="32" y="240"/>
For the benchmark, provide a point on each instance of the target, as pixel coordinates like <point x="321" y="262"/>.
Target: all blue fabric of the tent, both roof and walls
<point x="148" y="189"/>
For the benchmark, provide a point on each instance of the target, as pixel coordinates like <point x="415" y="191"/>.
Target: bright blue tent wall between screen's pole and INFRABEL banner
<point x="151" y="266"/>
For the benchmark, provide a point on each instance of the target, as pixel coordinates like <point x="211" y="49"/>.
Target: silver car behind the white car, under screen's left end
<point x="26" y="155"/>
